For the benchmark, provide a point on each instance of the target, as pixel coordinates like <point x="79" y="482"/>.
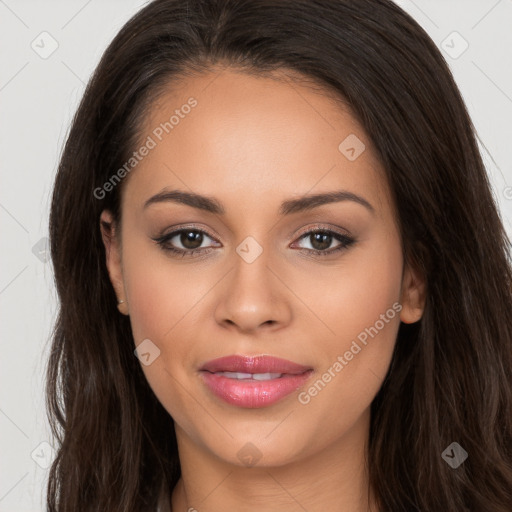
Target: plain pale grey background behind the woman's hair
<point x="39" y="92"/>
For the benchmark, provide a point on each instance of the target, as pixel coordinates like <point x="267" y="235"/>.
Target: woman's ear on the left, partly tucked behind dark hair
<point x="113" y="258"/>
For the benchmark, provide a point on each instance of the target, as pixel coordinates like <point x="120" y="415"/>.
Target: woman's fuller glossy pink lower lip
<point x="253" y="394"/>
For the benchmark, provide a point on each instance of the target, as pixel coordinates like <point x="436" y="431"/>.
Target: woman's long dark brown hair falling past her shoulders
<point x="451" y="372"/>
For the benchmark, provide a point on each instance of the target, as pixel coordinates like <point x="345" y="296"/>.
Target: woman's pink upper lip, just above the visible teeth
<point x="254" y="364"/>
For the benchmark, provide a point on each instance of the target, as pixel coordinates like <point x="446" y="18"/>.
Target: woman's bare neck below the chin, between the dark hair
<point x="335" y="478"/>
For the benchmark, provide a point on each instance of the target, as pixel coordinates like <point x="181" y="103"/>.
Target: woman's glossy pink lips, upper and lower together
<point x="250" y="393"/>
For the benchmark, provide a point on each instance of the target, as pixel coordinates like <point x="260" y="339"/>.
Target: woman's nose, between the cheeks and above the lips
<point x="253" y="297"/>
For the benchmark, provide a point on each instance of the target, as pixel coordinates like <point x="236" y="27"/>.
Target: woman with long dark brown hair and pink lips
<point x="286" y="203"/>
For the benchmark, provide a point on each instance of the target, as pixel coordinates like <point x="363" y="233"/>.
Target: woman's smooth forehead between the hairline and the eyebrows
<point x="251" y="136"/>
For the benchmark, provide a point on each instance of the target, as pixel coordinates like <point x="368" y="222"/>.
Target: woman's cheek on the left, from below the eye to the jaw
<point x="163" y="300"/>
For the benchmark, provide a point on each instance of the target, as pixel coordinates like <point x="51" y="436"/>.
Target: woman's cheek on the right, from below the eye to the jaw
<point x="361" y="316"/>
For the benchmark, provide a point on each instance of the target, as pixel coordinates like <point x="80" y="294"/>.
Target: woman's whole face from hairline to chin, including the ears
<point x="250" y="271"/>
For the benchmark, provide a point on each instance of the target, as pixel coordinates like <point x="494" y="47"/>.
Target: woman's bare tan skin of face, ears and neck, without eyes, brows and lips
<point x="253" y="142"/>
